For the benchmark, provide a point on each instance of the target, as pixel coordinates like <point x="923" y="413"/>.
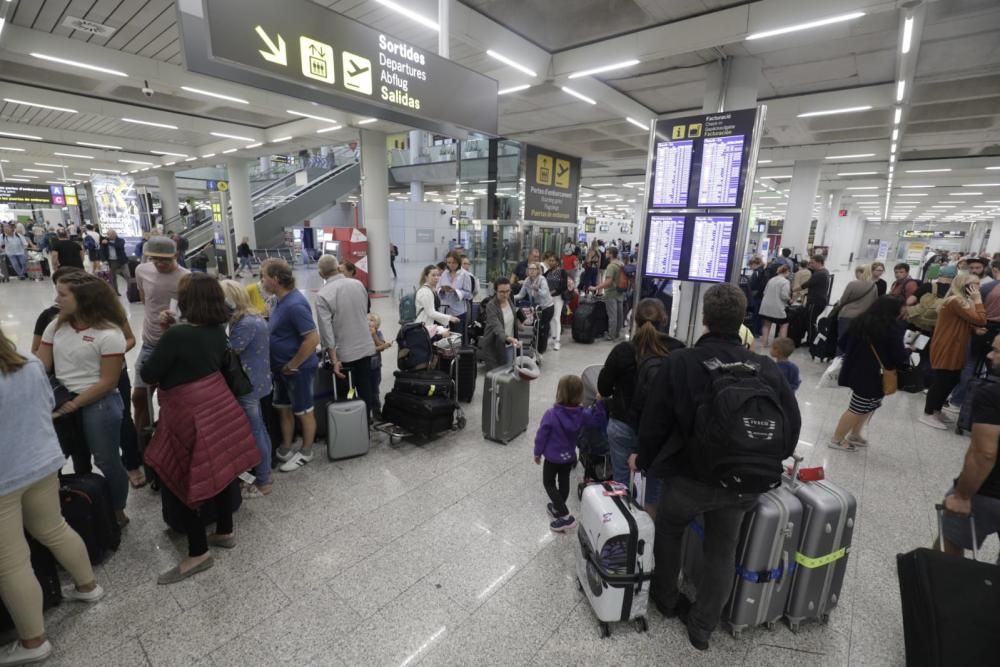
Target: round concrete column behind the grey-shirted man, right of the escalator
<point x="375" y="208"/>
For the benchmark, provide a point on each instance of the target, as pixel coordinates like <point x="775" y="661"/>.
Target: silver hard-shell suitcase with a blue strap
<point x="765" y="561"/>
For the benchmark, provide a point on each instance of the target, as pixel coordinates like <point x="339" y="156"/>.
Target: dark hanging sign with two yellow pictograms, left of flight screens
<point x="552" y="186"/>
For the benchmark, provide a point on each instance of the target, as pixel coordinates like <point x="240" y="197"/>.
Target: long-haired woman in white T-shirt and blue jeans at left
<point x="85" y="347"/>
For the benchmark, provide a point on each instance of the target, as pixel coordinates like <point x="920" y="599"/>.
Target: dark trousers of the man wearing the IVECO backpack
<point x="723" y="509"/>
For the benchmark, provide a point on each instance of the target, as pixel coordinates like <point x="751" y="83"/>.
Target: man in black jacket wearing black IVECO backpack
<point x="717" y="425"/>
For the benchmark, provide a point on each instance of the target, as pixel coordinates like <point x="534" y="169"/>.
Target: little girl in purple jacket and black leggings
<point x="555" y="441"/>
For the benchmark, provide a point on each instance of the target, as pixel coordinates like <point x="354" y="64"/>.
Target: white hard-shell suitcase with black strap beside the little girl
<point x="614" y="564"/>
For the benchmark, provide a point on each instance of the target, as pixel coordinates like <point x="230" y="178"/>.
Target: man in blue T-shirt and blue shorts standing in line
<point x="294" y="338"/>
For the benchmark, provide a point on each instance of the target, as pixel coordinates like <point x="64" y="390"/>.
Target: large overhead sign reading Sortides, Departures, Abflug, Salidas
<point x="301" y="49"/>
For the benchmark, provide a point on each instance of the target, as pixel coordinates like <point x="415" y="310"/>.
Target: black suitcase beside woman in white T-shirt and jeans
<point x="85" y="500"/>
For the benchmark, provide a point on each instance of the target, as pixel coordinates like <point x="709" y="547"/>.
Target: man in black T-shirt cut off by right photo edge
<point x="977" y="490"/>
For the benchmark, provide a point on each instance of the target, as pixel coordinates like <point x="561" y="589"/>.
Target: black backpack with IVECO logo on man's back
<point x="740" y="437"/>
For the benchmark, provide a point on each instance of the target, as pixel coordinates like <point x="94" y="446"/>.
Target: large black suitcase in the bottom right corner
<point x="951" y="606"/>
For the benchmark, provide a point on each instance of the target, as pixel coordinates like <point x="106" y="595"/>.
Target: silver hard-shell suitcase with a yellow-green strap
<point x="821" y="560"/>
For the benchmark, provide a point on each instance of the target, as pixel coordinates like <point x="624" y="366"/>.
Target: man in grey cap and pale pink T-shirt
<point x="157" y="279"/>
